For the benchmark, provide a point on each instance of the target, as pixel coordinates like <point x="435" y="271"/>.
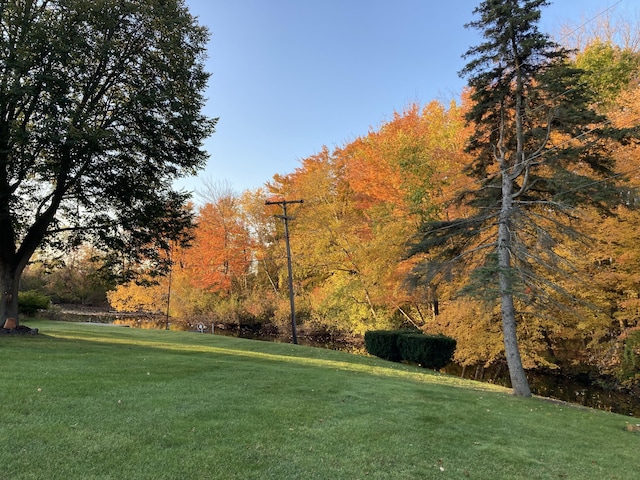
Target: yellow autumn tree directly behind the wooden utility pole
<point x="317" y="254"/>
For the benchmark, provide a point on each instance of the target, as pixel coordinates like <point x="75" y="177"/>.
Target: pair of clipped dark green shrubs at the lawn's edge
<point x="428" y="351"/>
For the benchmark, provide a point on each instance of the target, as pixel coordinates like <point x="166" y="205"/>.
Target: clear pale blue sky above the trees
<point x="289" y="76"/>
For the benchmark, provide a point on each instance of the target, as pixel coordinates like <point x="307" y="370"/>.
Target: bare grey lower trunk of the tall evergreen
<point x="519" y="381"/>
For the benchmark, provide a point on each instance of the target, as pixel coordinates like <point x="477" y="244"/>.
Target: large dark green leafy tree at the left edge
<point x="100" y="110"/>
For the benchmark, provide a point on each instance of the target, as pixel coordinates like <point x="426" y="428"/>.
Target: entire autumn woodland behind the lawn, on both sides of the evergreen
<point x="364" y="203"/>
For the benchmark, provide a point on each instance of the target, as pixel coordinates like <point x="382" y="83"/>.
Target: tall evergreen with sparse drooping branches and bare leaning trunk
<point x="540" y="149"/>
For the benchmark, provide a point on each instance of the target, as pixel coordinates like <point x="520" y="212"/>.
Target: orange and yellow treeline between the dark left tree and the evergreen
<point x="363" y="203"/>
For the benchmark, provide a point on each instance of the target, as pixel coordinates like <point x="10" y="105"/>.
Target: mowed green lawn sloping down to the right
<point x="101" y="402"/>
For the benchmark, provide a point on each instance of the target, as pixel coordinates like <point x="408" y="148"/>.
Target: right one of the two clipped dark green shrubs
<point x="429" y="351"/>
